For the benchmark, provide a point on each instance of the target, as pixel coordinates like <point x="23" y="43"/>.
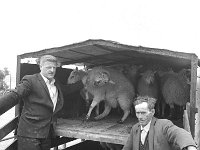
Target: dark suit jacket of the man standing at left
<point x="37" y="113"/>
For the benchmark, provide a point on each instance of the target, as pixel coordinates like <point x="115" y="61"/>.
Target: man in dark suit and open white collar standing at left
<point x="43" y="98"/>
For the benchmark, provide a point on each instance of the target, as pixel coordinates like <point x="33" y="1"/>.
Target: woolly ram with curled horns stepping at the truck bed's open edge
<point x="112" y="87"/>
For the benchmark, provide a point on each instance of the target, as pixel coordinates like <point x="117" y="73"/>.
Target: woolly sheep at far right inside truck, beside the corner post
<point x="175" y="90"/>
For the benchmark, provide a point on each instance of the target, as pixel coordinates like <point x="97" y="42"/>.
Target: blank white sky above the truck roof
<point x="33" y="25"/>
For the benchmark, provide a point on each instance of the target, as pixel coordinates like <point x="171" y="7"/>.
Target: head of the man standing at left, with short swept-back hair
<point x="48" y="64"/>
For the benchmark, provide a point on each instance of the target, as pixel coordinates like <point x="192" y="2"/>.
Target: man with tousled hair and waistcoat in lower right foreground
<point x="156" y="134"/>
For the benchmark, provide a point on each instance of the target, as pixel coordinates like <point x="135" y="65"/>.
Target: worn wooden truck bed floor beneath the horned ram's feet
<point x="105" y="130"/>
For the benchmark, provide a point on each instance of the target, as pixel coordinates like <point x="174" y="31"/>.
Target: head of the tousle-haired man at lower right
<point x="144" y="108"/>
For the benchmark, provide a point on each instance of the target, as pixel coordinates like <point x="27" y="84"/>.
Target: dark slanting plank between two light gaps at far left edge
<point x="5" y="130"/>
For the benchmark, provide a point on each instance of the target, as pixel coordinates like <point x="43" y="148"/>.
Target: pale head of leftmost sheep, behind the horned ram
<point x="75" y="76"/>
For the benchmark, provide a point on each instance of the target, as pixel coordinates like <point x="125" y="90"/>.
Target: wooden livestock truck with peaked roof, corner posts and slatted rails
<point x="98" y="52"/>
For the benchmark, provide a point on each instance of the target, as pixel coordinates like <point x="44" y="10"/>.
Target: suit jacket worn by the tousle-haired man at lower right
<point x="163" y="135"/>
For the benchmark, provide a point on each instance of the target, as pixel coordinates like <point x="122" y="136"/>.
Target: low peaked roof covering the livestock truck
<point x="101" y="52"/>
